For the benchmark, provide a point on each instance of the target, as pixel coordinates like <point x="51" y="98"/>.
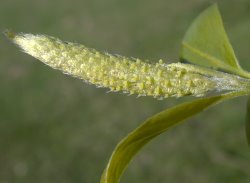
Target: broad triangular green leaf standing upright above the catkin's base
<point x="206" y="43"/>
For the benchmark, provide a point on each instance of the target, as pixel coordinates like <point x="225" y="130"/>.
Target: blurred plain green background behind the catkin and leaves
<point x="54" y="128"/>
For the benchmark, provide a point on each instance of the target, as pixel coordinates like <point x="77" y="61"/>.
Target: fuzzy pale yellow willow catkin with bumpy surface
<point x="123" y="74"/>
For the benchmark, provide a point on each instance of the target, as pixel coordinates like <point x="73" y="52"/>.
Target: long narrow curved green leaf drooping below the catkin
<point x="151" y="128"/>
